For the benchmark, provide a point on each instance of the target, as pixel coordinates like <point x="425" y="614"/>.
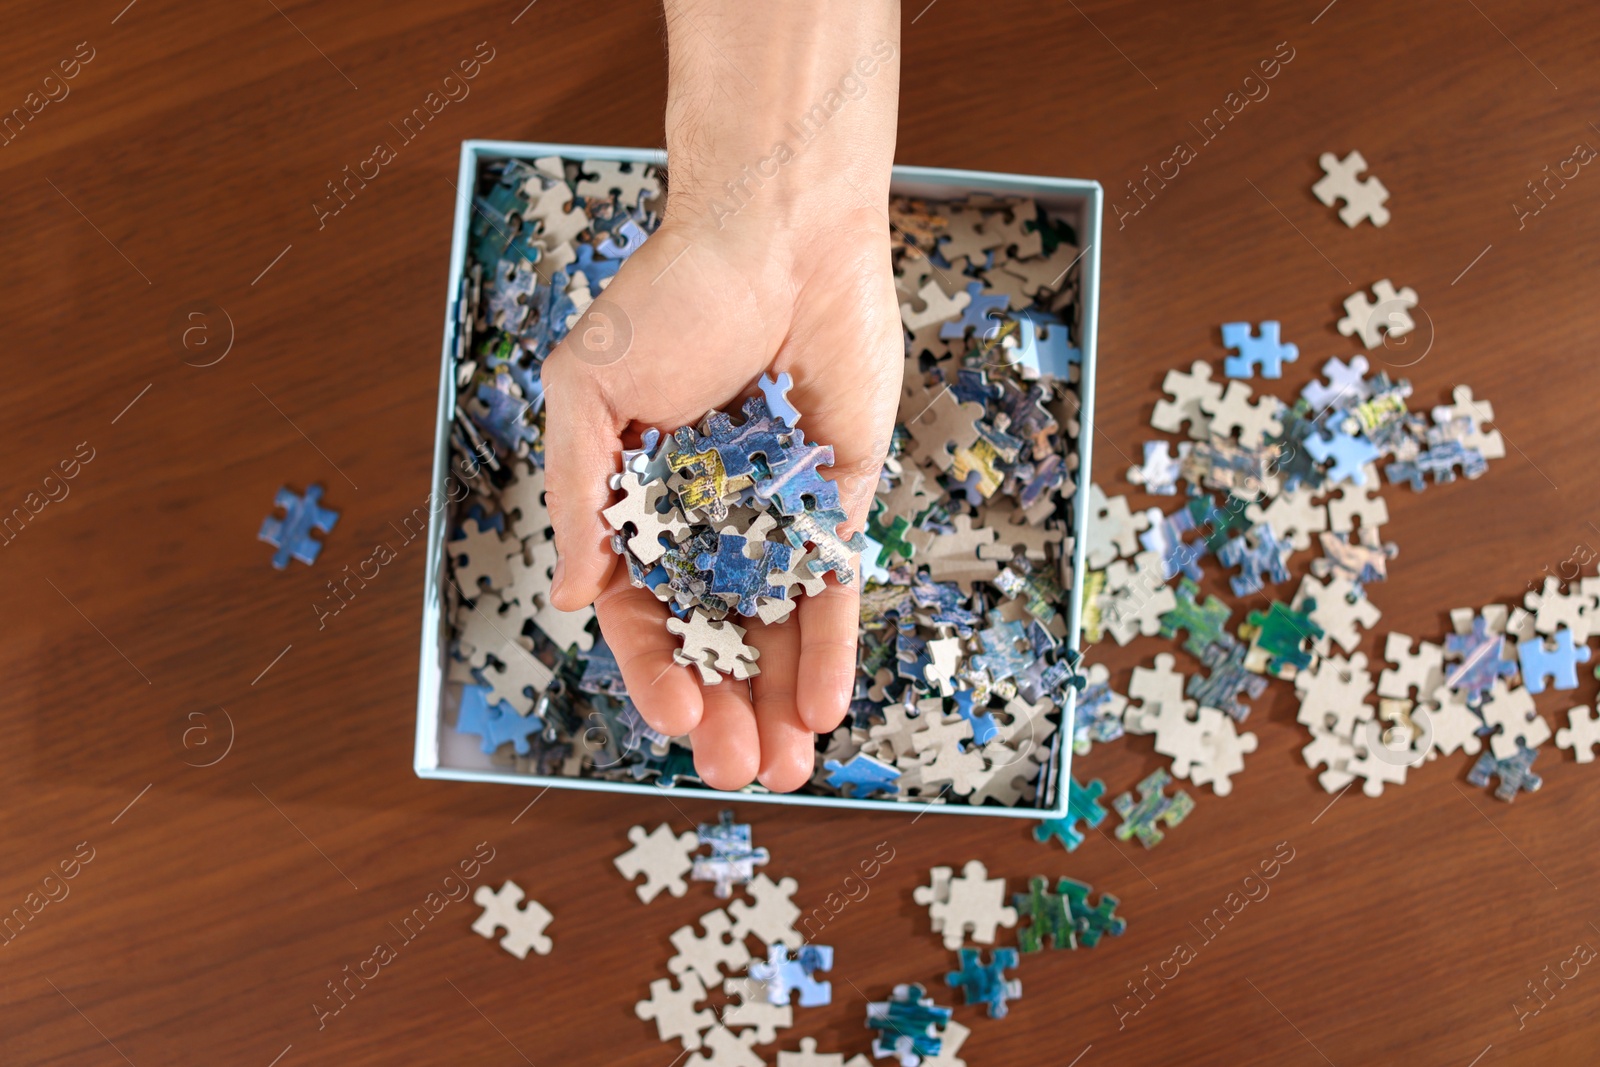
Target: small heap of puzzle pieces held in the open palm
<point x="730" y="519"/>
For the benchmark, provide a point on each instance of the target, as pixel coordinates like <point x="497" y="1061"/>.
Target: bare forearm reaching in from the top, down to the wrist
<point x="780" y="113"/>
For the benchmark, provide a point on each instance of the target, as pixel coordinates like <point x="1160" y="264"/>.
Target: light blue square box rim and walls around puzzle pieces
<point x="444" y="754"/>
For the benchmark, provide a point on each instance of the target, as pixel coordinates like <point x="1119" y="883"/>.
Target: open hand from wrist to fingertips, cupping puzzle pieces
<point x="690" y="322"/>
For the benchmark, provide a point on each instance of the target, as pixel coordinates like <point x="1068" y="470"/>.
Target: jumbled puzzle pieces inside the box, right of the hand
<point x="962" y="661"/>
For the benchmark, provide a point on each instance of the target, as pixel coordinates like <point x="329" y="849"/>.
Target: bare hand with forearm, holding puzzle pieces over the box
<point x="774" y="257"/>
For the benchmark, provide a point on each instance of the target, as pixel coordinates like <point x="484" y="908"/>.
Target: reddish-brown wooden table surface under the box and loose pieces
<point x="178" y="177"/>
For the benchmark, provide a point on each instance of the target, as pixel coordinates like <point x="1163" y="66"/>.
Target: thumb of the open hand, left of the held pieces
<point x="582" y="447"/>
